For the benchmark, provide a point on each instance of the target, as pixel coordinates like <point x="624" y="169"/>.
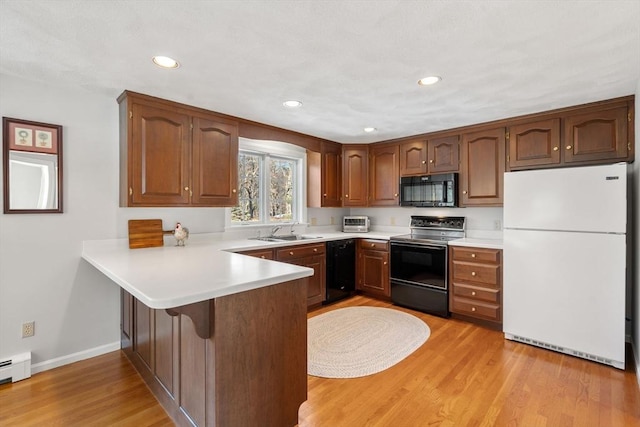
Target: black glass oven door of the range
<point x="419" y="264"/>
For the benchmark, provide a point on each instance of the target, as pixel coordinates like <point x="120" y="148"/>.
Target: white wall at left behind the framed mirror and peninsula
<point x="42" y="276"/>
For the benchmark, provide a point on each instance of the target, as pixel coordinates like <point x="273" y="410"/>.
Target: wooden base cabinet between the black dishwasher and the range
<point x="372" y="268"/>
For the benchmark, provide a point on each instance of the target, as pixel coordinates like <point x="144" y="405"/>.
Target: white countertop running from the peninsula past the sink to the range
<point x="206" y="268"/>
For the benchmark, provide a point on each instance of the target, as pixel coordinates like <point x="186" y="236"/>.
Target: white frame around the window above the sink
<point x="276" y="149"/>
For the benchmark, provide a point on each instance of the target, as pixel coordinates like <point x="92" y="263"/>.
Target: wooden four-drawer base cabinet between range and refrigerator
<point x="476" y="283"/>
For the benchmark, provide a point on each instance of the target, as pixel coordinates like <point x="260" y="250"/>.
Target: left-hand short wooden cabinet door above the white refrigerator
<point x="534" y="144"/>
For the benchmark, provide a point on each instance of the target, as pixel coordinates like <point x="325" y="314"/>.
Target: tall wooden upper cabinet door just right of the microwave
<point x="483" y="164"/>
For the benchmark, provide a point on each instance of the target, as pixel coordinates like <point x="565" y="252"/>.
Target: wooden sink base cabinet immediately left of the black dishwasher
<point x="312" y="256"/>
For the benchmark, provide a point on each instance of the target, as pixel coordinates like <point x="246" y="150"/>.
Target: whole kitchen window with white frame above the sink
<point x="270" y="183"/>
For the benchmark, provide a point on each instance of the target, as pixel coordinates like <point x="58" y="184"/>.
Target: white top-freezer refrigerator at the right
<point x="565" y="260"/>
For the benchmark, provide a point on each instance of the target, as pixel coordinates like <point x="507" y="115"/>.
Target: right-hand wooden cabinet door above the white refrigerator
<point x="600" y="135"/>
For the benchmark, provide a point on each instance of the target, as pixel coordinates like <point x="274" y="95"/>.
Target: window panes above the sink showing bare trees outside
<point x="266" y="189"/>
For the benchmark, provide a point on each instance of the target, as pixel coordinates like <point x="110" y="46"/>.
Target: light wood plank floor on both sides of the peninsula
<point x="464" y="375"/>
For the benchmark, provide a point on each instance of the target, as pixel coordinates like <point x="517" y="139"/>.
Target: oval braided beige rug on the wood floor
<point x="358" y="341"/>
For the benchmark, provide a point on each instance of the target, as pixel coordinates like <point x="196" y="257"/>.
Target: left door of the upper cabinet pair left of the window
<point x="159" y="157"/>
